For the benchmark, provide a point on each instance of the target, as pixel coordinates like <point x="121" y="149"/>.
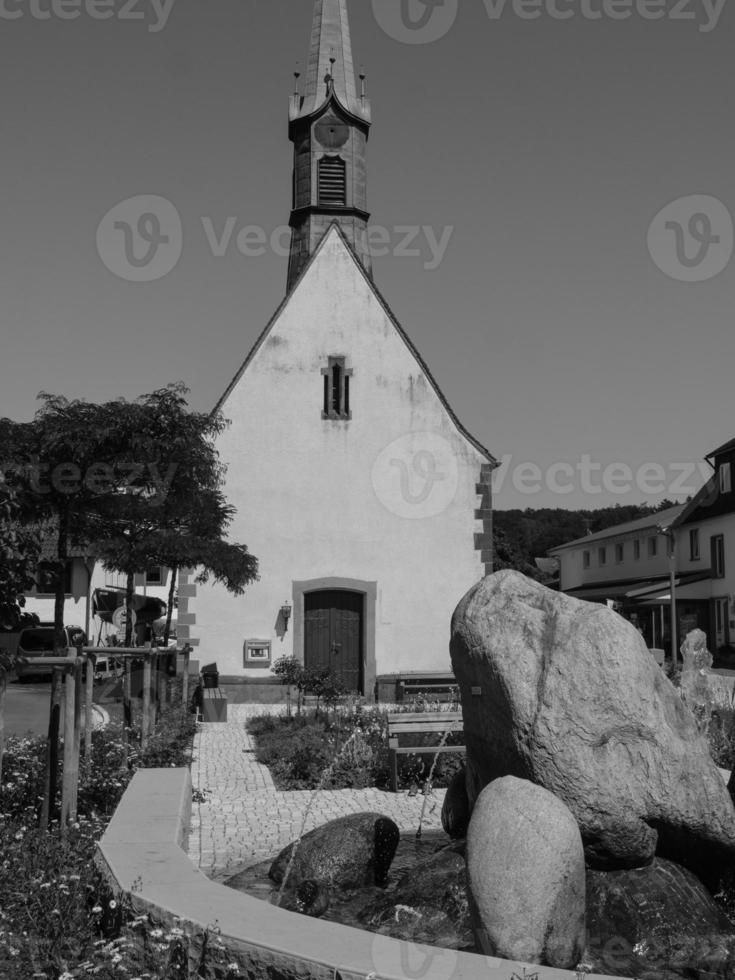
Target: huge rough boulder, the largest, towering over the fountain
<point x="571" y="699"/>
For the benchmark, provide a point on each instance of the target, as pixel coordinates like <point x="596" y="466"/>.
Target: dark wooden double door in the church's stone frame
<point x="333" y="620"/>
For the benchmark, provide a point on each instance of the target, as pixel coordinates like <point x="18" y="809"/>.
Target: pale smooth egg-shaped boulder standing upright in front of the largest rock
<point x="525" y="862"/>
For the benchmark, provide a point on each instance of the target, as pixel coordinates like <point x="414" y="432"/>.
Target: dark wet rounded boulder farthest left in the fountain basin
<point x="344" y="853"/>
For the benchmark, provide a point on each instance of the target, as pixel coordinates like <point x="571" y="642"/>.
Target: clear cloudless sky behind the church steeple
<point x="546" y="147"/>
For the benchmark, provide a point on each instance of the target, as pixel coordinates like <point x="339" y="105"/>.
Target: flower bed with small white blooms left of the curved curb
<point x="58" y="919"/>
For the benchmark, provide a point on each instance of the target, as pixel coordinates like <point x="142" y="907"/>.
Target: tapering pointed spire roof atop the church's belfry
<point x="330" y="56"/>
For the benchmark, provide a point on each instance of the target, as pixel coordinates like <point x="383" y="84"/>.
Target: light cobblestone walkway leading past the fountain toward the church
<point x="244" y="819"/>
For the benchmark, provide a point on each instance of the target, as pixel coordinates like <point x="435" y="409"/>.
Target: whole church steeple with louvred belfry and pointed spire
<point x="329" y="126"/>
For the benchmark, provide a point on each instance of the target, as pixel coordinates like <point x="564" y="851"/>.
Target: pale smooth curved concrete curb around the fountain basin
<point x="141" y="855"/>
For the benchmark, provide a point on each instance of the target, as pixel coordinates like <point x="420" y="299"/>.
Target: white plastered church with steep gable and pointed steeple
<point x="366" y="502"/>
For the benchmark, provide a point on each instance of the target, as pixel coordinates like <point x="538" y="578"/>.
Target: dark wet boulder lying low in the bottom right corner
<point x="657" y="920"/>
